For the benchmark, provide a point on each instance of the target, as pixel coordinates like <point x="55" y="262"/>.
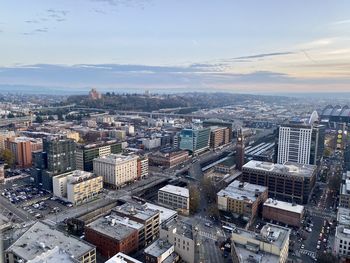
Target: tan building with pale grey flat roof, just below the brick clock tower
<point x="242" y="198"/>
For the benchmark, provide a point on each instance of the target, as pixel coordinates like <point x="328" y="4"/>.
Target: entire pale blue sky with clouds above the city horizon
<point x="176" y="45"/>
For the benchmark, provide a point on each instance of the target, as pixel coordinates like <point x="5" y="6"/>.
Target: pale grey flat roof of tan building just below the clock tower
<point x="242" y="191"/>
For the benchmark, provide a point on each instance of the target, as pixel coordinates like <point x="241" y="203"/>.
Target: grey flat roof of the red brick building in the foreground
<point x="110" y="228"/>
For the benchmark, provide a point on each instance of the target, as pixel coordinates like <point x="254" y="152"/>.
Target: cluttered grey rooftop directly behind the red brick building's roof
<point x="142" y="212"/>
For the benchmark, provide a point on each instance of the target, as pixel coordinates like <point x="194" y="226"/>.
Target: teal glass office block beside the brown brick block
<point x="194" y="140"/>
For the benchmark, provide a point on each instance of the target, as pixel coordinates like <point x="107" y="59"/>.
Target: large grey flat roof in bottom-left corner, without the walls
<point x="41" y="237"/>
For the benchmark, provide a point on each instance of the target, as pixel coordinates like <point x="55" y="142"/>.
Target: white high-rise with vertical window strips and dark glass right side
<point x="300" y="143"/>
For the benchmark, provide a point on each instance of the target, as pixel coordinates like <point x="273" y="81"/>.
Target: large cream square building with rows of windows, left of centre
<point x="116" y="169"/>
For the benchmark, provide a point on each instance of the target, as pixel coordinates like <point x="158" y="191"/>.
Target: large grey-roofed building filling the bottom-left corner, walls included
<point x="41" y="238"/>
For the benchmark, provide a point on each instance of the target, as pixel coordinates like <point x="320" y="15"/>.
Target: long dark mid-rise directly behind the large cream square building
<point x="85" y="154"/>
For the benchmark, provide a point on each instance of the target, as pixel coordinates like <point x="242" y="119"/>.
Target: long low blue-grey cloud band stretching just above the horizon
<point x="193" y="77"/>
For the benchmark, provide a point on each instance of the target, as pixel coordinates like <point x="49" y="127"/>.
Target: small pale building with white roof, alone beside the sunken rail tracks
<point x="175" y="197"/>
